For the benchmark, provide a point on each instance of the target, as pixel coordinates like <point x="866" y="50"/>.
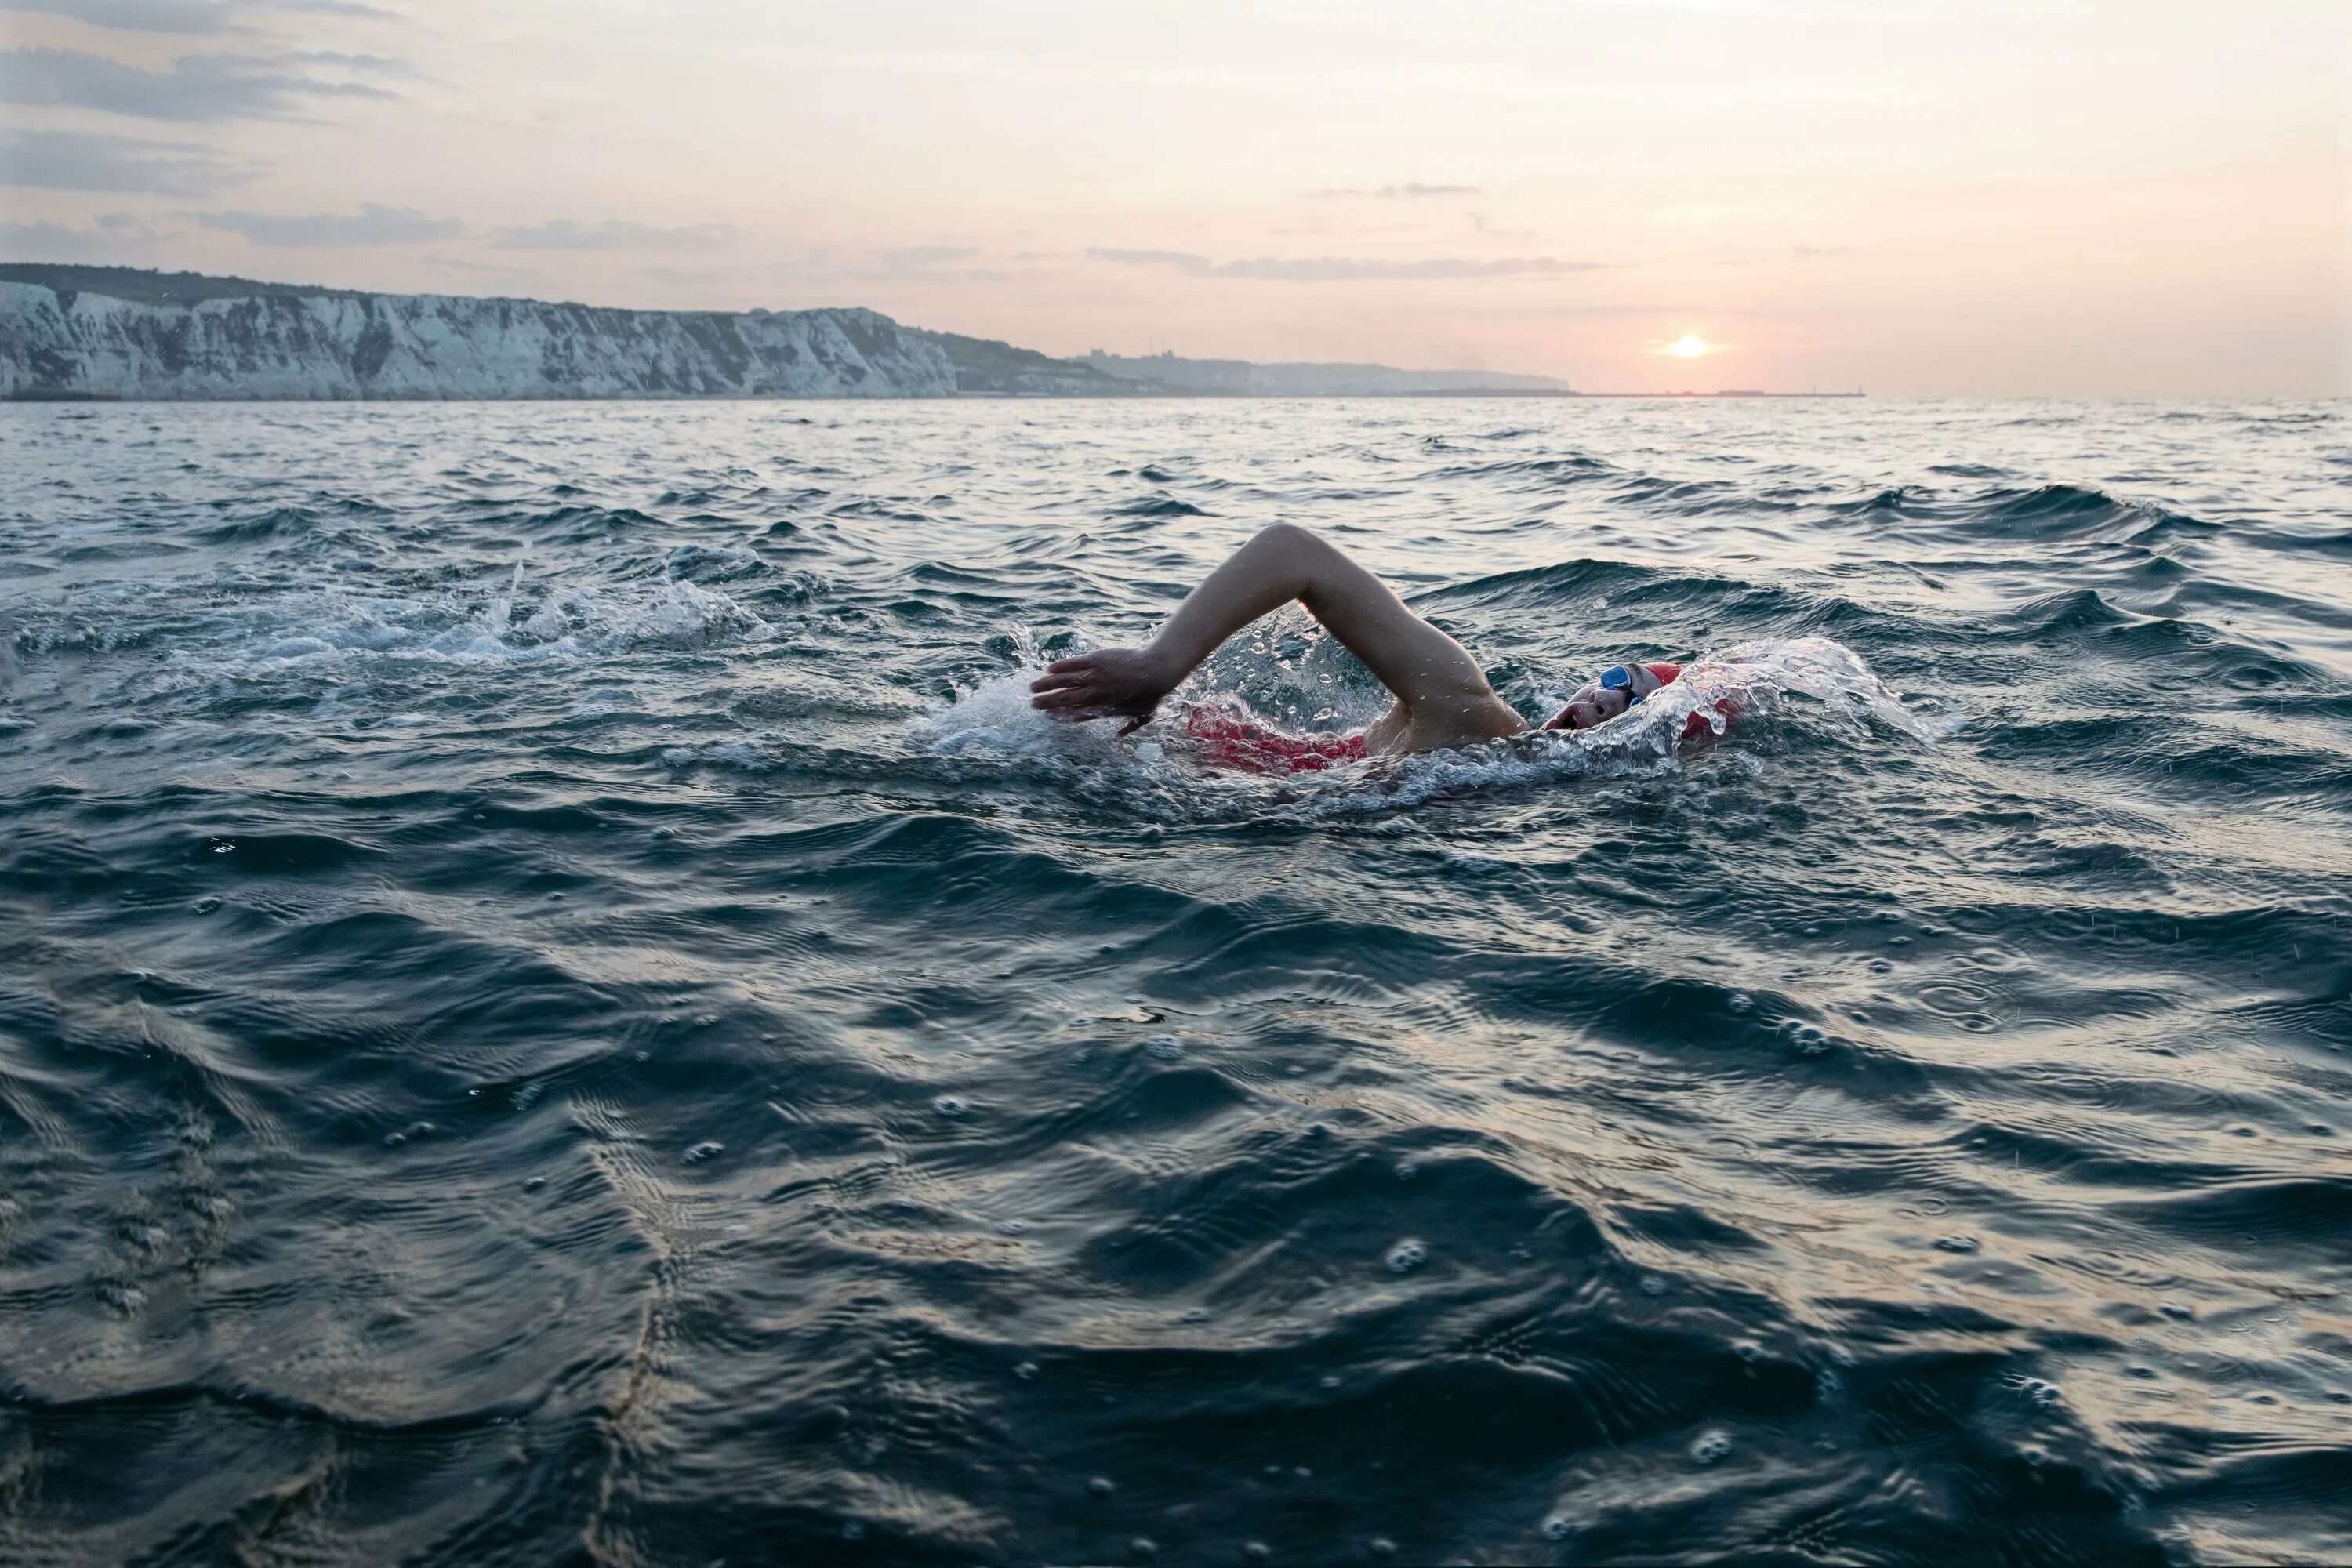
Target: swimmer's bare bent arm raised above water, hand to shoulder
<point x="1443" y="697"/>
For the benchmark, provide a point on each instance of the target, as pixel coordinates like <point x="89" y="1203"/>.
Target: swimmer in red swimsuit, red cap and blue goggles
<point x="1443" y="697"/>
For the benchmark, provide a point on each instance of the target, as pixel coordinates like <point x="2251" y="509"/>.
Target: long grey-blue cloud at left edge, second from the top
<point x="194" y="88"/>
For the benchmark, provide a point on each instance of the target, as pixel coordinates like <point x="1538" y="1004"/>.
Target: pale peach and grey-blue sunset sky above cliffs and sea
<point x="1953" y="199"/>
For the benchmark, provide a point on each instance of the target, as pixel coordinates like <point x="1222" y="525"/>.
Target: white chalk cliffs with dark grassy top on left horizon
<point x="105" y="333"/>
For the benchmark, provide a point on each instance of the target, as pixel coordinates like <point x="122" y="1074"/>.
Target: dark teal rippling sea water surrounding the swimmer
<point x="559" y="1007"/>
